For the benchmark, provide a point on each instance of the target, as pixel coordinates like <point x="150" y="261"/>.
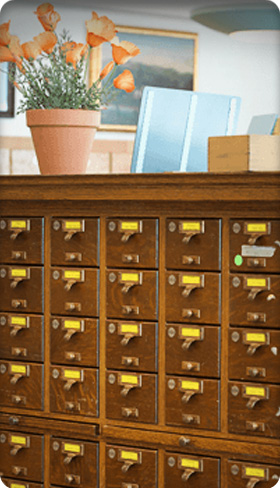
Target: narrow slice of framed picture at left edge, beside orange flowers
<point x="7" y="92"/>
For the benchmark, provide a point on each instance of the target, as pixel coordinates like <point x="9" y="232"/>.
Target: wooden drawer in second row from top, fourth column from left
<point x="192" y="297"/>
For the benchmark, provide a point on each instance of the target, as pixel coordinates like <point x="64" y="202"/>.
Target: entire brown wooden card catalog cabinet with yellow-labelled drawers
<point x="139" y="331"/>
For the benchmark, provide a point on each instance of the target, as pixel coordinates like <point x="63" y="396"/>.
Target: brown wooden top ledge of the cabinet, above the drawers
<point x="173" y="187"/>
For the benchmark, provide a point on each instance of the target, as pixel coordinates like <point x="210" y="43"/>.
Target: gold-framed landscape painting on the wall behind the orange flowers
<point x="167" y="59"/>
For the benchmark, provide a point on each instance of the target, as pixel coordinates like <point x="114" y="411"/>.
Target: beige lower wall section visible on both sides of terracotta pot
<point x="17" y="156"/>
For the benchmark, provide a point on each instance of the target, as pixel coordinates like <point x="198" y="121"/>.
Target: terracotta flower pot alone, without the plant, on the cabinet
<point x="62" y="138"/>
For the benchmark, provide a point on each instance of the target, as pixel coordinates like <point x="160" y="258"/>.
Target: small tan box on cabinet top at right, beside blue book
<point x="244" y="153"/>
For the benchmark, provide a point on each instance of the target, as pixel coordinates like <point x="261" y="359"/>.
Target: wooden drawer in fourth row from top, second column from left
<point x="74" y="390"/>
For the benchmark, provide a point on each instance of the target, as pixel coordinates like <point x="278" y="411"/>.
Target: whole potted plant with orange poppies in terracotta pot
<point x="62" y="111"/>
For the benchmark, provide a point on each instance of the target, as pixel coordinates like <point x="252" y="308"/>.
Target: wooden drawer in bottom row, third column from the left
<point x="129" y="467"/>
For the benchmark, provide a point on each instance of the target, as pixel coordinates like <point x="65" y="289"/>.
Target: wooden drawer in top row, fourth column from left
<point x="193" y="244"/>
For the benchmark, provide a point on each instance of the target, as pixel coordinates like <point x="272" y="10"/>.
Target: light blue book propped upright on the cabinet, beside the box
<point x="174" y="126"/>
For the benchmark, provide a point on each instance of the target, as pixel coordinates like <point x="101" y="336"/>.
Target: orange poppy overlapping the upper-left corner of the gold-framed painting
<point x="99" y="30"/>
